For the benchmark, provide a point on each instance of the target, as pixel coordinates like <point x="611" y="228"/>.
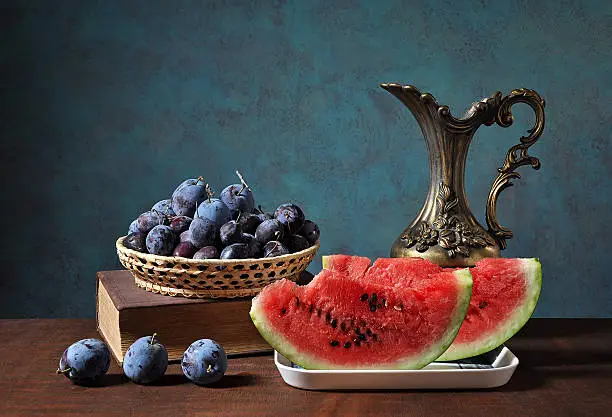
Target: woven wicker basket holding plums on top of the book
<point x="211" y="278"/>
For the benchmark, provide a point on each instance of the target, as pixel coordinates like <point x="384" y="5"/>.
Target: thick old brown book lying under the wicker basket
<point x="125" y="312"/>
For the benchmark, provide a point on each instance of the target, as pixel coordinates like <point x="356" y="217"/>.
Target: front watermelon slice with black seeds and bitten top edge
<point x="337" y="322"/>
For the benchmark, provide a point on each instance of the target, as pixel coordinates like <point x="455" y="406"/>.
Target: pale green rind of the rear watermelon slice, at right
<point x="532" y="270"/>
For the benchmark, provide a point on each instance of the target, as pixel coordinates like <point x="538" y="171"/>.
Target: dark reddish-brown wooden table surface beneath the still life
<point x="565" y="370"/>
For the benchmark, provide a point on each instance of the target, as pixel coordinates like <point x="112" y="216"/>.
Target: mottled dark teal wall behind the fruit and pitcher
<point x="107" y="106"/>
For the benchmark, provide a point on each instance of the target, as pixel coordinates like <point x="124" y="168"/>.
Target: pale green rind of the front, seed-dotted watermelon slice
<point x="415" y="361"/>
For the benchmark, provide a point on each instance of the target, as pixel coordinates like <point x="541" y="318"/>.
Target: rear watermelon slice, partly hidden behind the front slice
<point x="504" y="295"/>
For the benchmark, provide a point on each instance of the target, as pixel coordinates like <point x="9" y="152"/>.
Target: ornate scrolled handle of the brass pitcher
<point x="516" y="156"/>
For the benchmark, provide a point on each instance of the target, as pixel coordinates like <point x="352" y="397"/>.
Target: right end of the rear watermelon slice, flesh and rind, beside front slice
<point x="504" y="297"/>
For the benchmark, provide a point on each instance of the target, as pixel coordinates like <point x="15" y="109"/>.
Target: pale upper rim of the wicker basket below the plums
<point x="177" y="259"/>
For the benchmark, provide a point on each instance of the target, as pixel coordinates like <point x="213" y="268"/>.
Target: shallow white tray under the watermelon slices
<point x="437" y="375"/>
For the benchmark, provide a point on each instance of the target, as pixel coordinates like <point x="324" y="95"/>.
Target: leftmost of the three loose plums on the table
<point x="85" y="361"/>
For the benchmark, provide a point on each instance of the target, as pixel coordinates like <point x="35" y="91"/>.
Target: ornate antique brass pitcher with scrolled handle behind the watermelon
<point x="445" y="231"/>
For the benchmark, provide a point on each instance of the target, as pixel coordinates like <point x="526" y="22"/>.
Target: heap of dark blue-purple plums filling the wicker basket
<point x="193" y="224"/>
